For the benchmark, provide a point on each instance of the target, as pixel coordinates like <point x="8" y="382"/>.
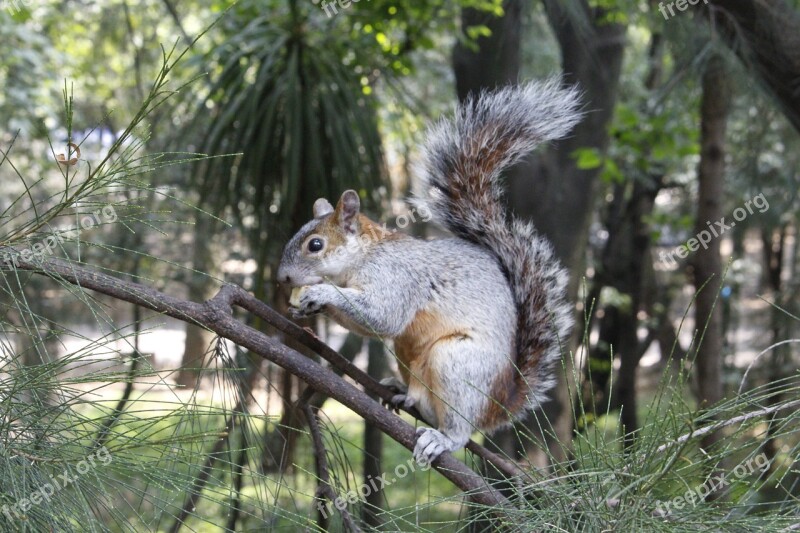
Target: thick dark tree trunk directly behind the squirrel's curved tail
<point x="554" y="193"/>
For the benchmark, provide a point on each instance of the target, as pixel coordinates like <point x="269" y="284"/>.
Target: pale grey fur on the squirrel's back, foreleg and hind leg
<point x="450" y="276"/>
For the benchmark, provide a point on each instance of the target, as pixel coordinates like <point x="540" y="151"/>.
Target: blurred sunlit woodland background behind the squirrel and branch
<point x="674" y="204"/>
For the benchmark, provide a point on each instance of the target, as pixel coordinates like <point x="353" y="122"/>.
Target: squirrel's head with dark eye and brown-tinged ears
<point x="329" y="245"/>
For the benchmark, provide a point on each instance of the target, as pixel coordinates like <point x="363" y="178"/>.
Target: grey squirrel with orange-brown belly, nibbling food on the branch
<point x="478" y="320"/>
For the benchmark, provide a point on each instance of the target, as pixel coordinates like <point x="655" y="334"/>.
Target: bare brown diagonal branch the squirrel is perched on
<point x="216" y="315"/>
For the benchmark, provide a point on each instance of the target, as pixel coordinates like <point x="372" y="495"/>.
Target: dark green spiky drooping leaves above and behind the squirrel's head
<point x="288" y="95"/>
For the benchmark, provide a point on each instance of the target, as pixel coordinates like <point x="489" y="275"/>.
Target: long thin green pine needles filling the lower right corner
<point x="659" y="484"/>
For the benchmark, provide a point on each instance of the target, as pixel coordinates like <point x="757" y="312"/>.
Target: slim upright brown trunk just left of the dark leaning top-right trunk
<point x="707" y="262"/>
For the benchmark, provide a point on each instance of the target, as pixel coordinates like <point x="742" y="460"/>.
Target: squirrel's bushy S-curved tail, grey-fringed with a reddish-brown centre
<point x="463" y="160"/>
